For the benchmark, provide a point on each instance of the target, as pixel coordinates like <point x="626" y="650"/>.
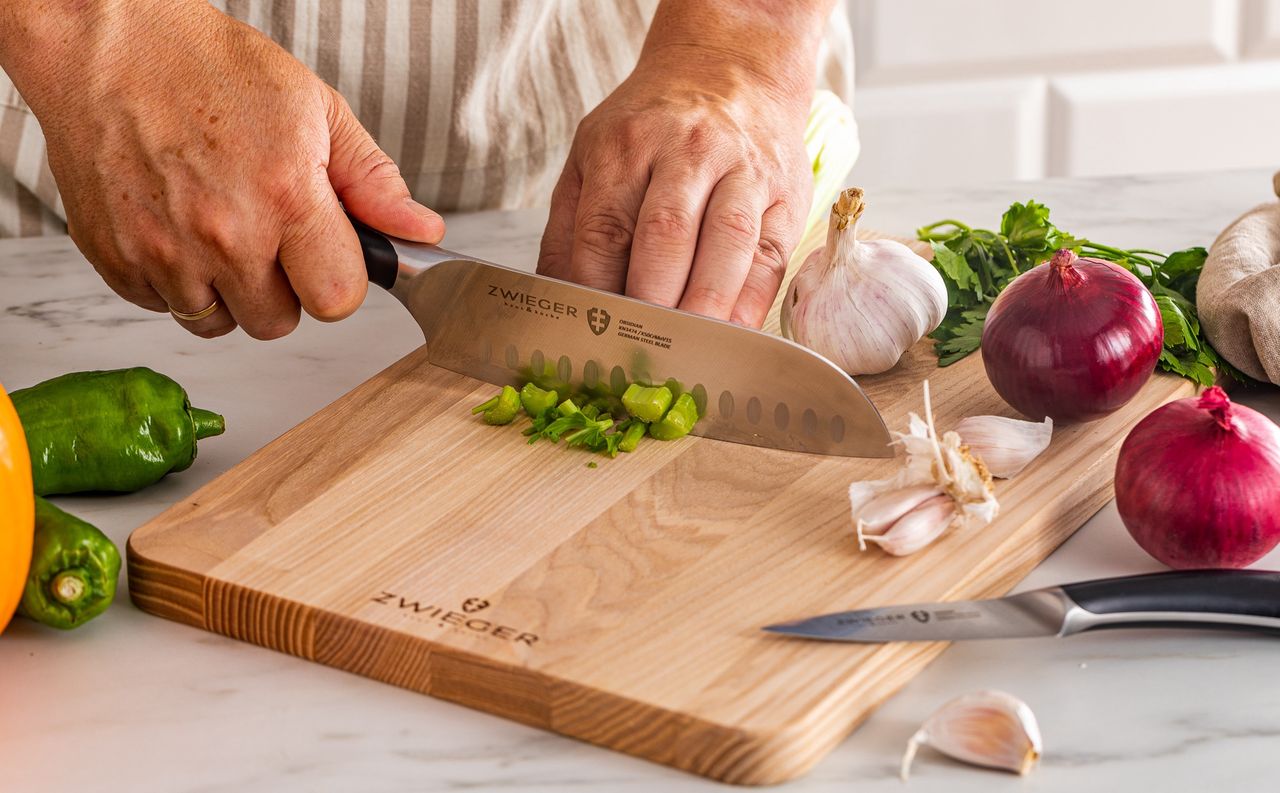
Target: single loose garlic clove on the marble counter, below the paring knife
<point x="988" y="728"/>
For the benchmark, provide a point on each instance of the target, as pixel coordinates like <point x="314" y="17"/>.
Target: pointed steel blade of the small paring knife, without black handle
<point x="1037" y="613"/>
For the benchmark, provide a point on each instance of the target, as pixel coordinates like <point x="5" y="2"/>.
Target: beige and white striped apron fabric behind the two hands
<point x="476" y="100"/>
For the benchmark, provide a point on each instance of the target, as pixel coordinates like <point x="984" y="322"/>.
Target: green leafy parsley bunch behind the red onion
<point x="979" y="264"/>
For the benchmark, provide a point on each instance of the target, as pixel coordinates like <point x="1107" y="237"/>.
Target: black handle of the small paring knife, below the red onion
<point x="1242" y="601"/>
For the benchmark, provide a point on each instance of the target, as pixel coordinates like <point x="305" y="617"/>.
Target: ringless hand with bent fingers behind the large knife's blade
<point x="685" y="187"/>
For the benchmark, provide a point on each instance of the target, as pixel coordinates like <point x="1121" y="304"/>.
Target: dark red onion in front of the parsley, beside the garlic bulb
<point x="1072" y="340"/>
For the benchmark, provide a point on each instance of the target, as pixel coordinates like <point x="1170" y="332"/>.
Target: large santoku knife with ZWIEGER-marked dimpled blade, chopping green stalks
<point x="509" y="328"/>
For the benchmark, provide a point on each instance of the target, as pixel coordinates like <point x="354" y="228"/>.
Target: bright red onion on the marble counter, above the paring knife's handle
<point x="1199" y="483"/>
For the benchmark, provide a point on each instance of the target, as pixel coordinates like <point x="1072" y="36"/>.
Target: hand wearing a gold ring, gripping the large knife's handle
<point x="199" y="162"/>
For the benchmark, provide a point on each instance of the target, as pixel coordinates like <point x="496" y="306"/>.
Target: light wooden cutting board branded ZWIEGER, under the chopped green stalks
<point x="624" y="603"/>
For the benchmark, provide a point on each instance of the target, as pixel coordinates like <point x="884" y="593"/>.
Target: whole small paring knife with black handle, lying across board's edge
<point x="1235" y="601"/>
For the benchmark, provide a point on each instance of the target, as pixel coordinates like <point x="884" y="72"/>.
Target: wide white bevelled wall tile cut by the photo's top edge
<point x="912" y="40"/>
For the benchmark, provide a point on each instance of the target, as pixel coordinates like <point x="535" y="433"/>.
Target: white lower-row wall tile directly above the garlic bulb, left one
<point x="950" y="134"/>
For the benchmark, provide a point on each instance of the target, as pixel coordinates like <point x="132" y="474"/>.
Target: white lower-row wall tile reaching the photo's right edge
<point x="1165" y="121"/>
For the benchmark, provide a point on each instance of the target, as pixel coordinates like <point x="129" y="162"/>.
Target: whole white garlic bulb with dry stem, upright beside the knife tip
<point x="862" y="304"/>
